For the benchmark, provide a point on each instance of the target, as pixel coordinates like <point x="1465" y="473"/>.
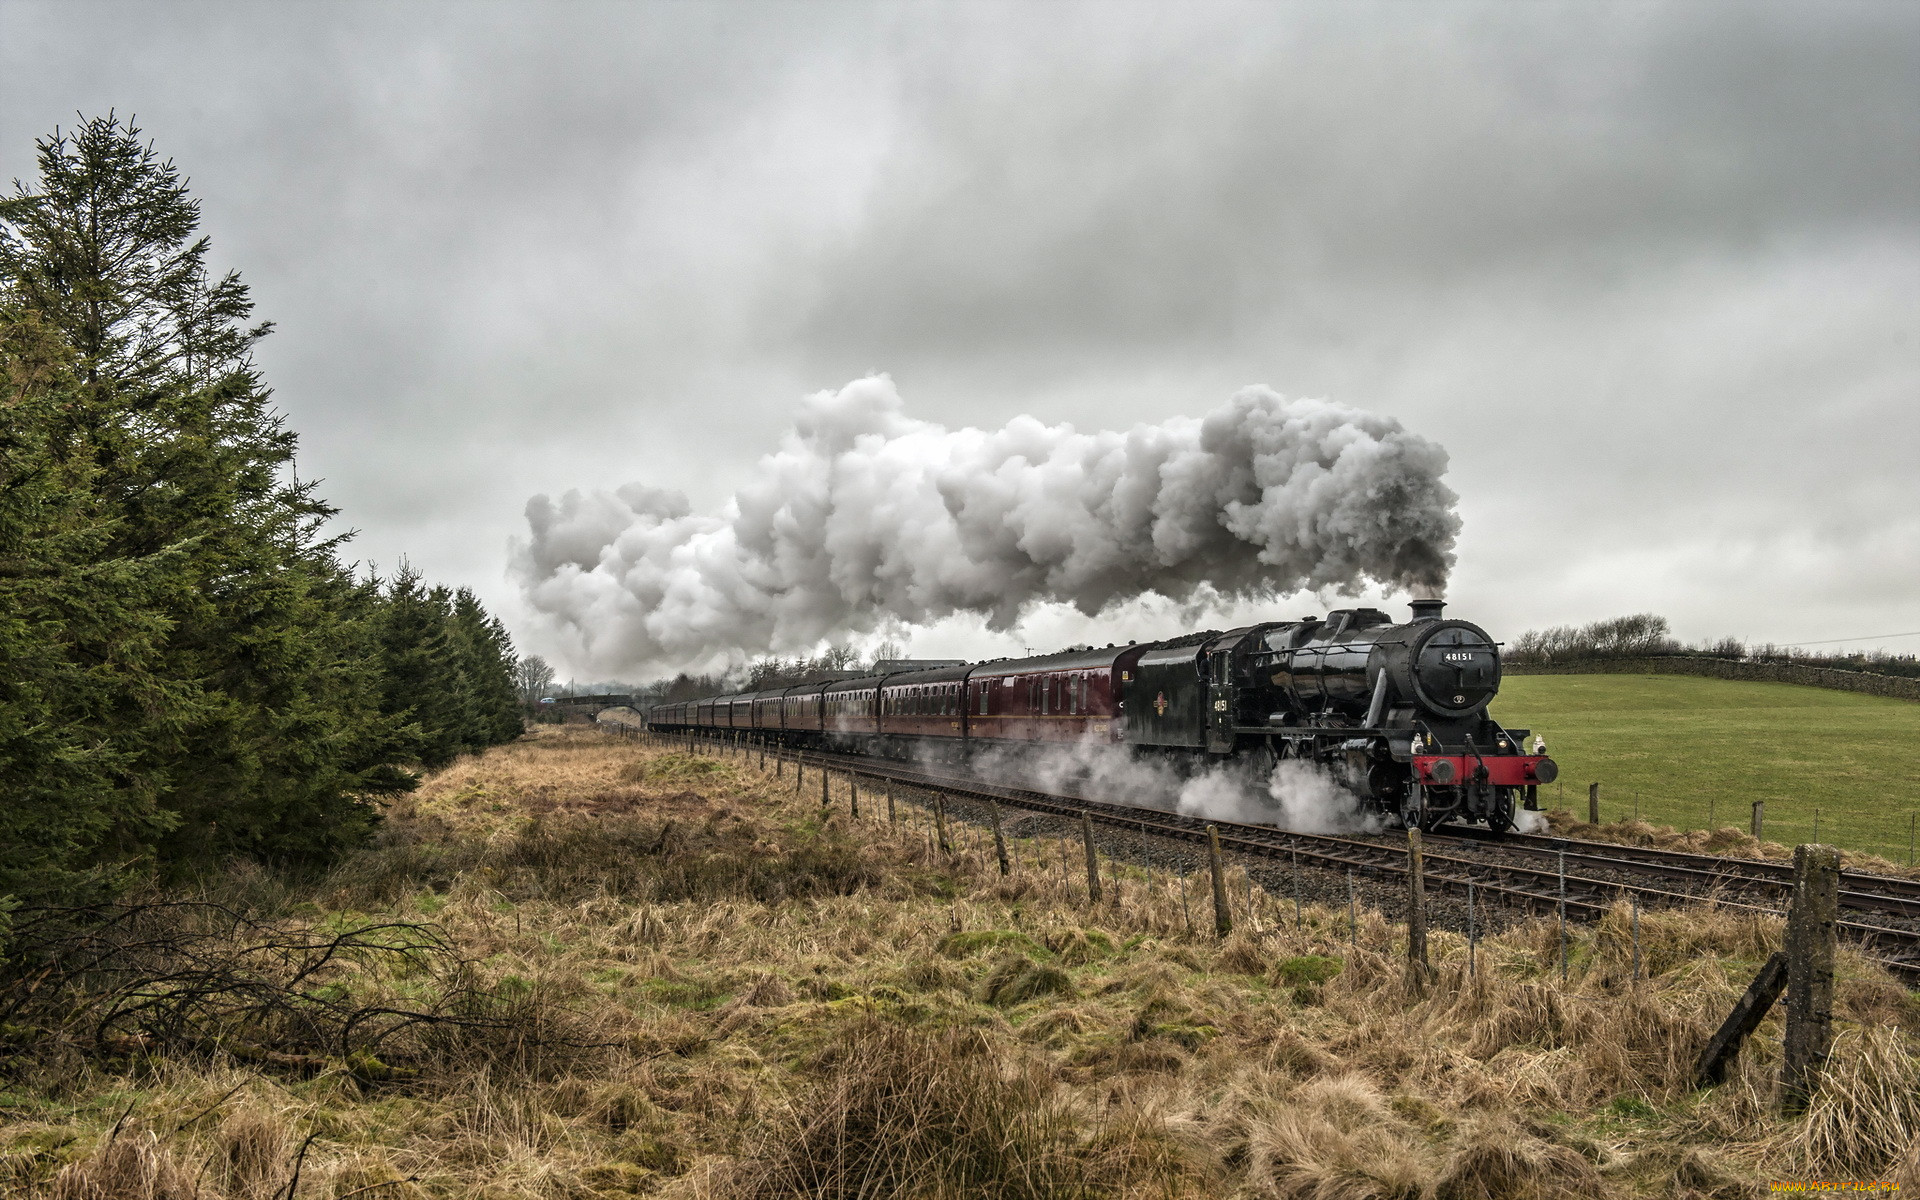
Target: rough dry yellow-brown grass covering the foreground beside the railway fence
<point x="677" y="978"/>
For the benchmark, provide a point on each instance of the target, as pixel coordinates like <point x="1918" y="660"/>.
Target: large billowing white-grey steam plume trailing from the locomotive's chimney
<point x="869" y="516"/>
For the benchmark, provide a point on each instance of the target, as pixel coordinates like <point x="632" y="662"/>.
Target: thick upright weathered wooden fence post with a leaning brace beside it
<point x="1810" y="949"/>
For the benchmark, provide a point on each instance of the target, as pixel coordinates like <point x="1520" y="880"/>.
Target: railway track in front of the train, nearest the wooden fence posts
<point x="1587" y="876"/>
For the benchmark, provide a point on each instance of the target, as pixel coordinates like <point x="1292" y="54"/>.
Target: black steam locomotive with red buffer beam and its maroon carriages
<point x="1397" y="711"/>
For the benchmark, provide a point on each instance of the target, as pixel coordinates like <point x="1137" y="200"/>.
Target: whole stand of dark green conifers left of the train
<point x="189" y="669"/>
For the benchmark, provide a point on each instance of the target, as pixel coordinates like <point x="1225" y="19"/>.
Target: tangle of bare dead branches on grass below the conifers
<point x="204" y="980"/>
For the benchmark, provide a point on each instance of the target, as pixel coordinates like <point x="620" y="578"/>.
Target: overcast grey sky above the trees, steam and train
<point x="1648" y="272"/>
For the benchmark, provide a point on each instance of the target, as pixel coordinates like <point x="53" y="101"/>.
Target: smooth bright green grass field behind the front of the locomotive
<point x="1700" y="752"/>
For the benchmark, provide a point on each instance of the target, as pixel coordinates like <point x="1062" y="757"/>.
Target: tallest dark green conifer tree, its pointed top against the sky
<point x="168" y="435"/>
